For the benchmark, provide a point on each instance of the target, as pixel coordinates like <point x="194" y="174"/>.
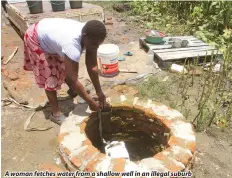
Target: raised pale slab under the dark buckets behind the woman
<point x="19" y="14"/>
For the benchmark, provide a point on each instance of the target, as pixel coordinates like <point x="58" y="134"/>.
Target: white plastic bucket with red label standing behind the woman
<point x="108" y="59"/>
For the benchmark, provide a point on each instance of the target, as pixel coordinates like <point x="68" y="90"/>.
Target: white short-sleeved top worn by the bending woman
<point x="61" y="36"/>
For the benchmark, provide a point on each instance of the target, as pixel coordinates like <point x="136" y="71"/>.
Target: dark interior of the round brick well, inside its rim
<point x="143" y="136"/>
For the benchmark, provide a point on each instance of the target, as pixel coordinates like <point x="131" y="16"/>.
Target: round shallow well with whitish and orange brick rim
<point x="156" y="137"/>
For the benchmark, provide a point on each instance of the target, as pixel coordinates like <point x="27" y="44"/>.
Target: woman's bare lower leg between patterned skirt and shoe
<point x="52" y="98"/>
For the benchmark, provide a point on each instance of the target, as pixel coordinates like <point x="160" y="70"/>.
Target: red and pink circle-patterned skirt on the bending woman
<point x="49" y="70"/>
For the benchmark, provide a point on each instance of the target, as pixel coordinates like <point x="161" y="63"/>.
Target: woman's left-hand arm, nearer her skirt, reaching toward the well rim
<point x="71" y="70"/>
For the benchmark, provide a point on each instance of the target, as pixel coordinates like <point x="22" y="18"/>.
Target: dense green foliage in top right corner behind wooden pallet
<point x="208" y="20"/>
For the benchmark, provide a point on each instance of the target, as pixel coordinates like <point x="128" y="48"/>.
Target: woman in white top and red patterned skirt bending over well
<point x="52" y="51"/>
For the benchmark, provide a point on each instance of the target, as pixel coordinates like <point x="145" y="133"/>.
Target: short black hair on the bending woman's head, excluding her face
<point x="95" y="29"/>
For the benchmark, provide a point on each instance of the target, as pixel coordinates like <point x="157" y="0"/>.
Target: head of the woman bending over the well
<point x="93" y="34"/>
